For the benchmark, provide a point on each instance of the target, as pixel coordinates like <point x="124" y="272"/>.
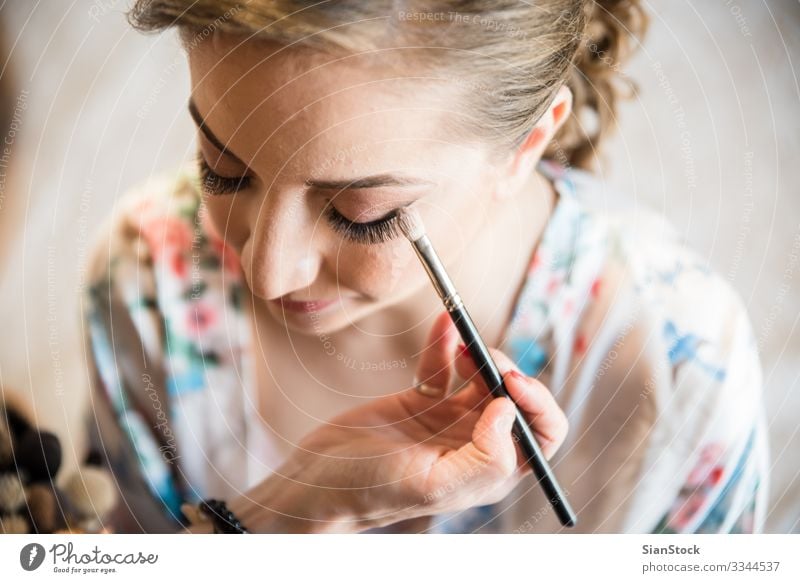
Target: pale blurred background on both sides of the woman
<point x="712" y="141"/>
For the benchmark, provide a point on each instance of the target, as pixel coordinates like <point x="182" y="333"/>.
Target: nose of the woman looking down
<point x="280" y="255"/>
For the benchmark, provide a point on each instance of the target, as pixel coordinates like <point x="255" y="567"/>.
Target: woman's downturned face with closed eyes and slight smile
<point x="298" y="148"/>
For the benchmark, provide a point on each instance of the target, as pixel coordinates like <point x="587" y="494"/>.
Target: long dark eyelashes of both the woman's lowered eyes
<point x="366" y="233"/>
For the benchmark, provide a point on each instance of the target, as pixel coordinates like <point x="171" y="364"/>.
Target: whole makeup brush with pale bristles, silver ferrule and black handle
<point x="411" y="225"/>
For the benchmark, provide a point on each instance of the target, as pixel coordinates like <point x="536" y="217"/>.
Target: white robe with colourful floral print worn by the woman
<point x="649" y="353"/>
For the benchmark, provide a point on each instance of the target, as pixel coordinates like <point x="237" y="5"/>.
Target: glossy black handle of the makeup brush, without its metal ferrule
<point x="522" y="432"/>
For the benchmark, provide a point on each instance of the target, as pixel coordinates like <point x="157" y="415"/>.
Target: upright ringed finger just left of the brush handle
<point x="435" y="365"/>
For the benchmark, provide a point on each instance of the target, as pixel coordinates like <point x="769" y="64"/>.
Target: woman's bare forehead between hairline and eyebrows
<point x="298" y="107"/>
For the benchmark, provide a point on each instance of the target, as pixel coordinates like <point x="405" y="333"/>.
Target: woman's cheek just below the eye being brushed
<point x="382" y="271"/>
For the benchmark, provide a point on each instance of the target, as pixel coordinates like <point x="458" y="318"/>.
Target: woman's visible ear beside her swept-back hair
<point x="521" y="163"/>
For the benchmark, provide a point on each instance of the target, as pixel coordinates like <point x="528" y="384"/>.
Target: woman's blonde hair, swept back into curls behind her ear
<point x="508" y="57"/>
